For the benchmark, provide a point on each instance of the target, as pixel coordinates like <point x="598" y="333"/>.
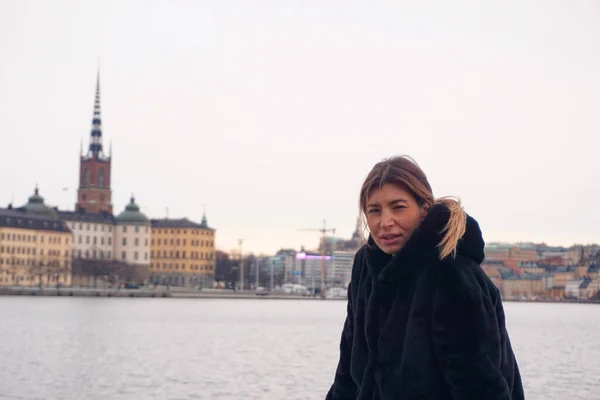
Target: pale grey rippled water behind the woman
<point x="80" y="348"/>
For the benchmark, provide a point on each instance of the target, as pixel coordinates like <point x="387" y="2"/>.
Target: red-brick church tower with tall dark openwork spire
<point x="94" y="194"/>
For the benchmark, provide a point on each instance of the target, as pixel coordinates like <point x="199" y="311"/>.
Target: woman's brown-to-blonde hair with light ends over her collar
<point x="404" y="171"/>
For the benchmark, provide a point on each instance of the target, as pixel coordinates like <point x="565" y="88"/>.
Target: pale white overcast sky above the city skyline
<point x="272" y="112"/>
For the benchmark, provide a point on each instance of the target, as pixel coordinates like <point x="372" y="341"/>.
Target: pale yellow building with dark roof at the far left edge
<point x="35" y="246"/>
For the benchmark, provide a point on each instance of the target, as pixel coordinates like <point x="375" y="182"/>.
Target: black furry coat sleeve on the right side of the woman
<point x="463" y="329"/>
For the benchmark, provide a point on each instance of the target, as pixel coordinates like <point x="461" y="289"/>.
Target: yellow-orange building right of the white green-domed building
<point x="182" y="253"/>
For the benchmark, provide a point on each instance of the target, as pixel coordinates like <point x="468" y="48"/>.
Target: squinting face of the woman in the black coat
<point x="392" y="216"/>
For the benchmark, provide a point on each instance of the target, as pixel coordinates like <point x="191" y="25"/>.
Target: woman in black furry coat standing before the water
<point x="424" y="321"/>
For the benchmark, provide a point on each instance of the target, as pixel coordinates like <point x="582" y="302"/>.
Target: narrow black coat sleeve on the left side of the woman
<point x="343" y="387"/>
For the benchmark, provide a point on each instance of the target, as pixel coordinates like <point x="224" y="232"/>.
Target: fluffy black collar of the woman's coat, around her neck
<point x="422" y="247"/>
